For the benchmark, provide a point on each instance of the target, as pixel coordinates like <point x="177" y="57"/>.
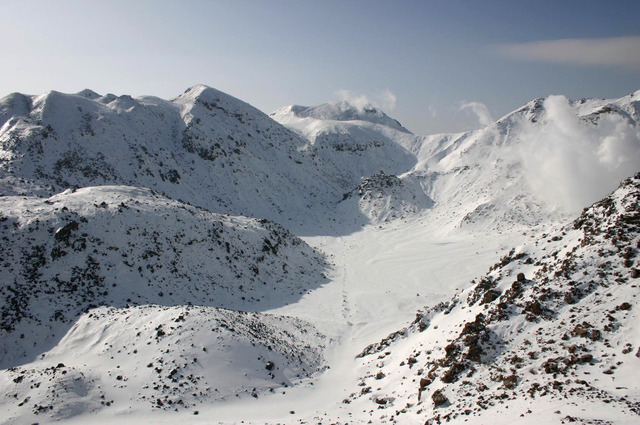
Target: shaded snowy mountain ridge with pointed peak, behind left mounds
<point x="204" y="147"/>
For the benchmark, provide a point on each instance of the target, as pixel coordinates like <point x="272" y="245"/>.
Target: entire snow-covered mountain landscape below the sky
<point x="195" y="260"/>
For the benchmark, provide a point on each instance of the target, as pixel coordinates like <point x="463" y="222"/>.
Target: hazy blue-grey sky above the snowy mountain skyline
<point x="436" y="66"/>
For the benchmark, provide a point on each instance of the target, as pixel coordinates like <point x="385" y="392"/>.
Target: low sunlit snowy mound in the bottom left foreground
<point x="158" y="358"/>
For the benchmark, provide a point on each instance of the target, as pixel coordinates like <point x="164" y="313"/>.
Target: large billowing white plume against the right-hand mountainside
<point x="572" y="163"/>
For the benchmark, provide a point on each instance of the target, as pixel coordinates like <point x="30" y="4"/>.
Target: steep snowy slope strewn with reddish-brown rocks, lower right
<point x="550" y="332"/>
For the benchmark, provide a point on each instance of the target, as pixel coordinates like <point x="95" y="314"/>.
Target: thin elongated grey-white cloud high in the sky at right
<point x="618" y="51"/>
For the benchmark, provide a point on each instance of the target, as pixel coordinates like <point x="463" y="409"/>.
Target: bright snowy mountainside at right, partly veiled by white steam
<point x="539" y="164"/>
